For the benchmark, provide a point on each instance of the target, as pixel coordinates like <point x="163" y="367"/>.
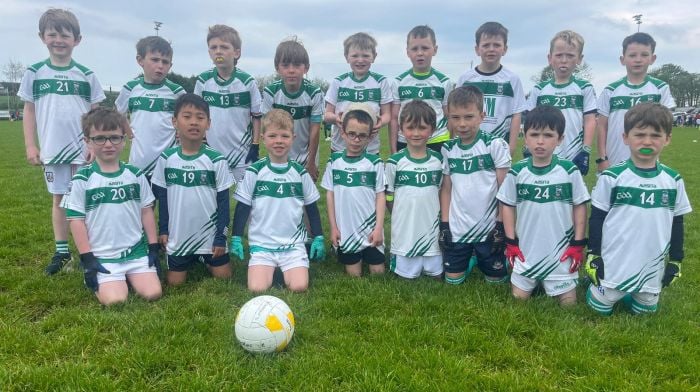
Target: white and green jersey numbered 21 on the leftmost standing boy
<point x="61" y="95"/>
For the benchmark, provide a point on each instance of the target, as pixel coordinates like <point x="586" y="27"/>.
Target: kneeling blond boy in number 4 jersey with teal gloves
<point x="274" y="194"/>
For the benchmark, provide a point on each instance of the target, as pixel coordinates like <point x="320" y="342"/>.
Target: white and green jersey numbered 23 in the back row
<point x="575" y="99"/>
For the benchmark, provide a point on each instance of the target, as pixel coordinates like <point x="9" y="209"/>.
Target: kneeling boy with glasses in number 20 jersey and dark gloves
<point x="110" y="214"/>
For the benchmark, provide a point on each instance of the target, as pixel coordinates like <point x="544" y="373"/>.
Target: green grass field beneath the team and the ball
<point x="369" y="334"/>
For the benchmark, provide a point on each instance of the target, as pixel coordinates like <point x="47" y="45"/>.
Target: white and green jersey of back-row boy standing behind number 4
<point x="305" y="106"/>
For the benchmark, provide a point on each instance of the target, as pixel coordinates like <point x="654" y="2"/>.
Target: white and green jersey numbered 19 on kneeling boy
<point x="192" y="182"/>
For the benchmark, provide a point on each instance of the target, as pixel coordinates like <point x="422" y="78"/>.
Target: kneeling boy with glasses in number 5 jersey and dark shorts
<point x="354" y="181"/>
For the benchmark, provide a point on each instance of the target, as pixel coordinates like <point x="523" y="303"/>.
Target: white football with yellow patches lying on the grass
<point x="265" y="324"/>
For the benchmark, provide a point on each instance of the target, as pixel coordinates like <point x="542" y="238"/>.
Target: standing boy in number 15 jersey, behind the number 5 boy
<point x="358" y="85"/>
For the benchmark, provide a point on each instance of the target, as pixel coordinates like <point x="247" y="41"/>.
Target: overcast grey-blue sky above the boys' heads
<point x="110" y="31"/>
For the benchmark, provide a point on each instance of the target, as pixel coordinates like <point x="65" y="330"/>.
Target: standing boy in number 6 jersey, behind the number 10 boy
<point x="421" y="82"/>
